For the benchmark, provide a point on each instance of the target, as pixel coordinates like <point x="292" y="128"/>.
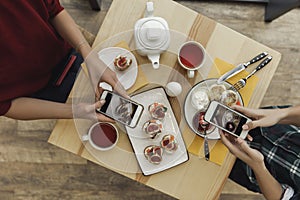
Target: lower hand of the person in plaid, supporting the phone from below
<point x="238" y="147"/>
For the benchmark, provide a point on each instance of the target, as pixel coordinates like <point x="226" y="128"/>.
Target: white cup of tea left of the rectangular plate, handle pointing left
<point x="102" y="136"/>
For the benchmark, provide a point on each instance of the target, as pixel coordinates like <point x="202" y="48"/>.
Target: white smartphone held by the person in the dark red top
<point x="123" y="110"/>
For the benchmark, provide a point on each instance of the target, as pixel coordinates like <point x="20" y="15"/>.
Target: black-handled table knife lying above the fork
<point x="241" y="67"/>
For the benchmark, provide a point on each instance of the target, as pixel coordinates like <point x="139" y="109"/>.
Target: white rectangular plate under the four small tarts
<point x="139" y="140"/>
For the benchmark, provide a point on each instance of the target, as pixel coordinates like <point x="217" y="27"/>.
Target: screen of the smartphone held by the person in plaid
<point x="228" y="120"/>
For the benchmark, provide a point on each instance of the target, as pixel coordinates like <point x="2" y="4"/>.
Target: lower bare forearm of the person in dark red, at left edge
<point x="30" y="109"/>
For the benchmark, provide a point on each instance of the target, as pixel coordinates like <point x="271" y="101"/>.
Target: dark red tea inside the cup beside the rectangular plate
<point x="104" y="135"/>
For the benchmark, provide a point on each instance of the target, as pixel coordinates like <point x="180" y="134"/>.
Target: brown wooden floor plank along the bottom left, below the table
<point x="69" y="181"/>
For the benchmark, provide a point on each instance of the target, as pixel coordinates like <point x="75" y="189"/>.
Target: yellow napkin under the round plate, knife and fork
<point x="218" y="151"/>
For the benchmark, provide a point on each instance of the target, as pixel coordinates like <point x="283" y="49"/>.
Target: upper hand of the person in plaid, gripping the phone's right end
<point x="260" y="117"/>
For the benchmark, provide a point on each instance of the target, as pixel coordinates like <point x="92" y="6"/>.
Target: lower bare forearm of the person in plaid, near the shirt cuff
<point x="268" y="185"/>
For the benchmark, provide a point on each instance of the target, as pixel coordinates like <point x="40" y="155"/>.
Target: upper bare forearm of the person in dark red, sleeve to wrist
<point x="68" y="29"/>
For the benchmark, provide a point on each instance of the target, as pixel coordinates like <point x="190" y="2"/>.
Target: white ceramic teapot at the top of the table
<point x="152" y="36"/>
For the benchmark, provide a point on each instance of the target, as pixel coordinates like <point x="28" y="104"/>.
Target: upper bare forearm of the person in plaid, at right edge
<point x="291" y="116"/>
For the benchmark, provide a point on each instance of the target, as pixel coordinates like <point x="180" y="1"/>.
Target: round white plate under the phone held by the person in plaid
<point x="190" y="111"/>
